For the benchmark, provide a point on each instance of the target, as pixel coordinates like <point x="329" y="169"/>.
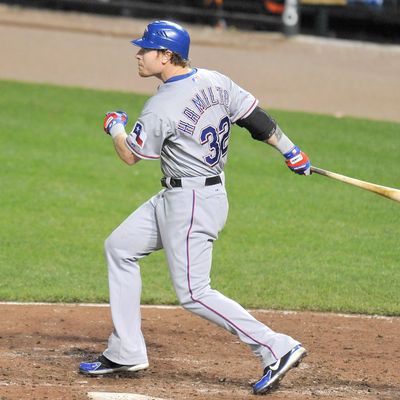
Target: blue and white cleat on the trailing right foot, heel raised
<point x="275" y="372"/>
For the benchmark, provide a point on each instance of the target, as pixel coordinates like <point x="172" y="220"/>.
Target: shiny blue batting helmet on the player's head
<point x="165" y="35"/>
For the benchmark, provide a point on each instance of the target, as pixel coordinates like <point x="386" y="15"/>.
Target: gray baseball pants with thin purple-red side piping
<point x="184" y="222"/>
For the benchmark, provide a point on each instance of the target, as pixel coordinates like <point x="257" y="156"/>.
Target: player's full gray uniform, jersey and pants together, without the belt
<point x="186" y="125"/>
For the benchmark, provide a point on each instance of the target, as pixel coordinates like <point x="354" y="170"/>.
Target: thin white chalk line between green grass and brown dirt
<point x="172" y="307"/>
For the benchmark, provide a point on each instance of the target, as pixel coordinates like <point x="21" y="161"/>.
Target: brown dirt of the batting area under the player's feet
<point x="350" y="357"/>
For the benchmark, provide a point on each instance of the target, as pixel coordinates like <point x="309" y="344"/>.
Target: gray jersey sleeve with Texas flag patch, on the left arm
<point x="147" y="136"/>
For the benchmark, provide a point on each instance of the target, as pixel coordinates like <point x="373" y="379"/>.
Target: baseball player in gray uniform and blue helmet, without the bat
<point x="186" y="125"/>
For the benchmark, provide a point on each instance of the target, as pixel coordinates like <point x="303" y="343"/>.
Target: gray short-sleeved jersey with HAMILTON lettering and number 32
<point x="187" y="123"/>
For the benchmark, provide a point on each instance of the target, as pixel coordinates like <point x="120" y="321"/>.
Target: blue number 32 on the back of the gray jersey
<point x="217" y="140"/>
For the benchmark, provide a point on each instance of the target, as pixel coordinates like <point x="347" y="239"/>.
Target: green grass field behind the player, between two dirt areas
<point x="290" y="242"/>
